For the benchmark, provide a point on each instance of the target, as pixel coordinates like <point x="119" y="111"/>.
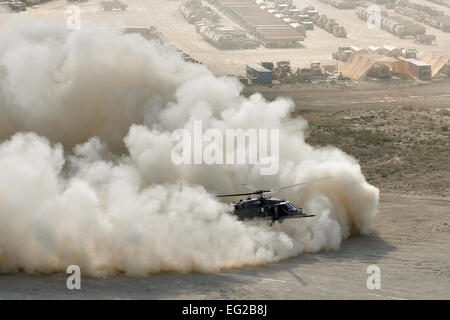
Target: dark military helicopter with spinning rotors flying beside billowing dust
<point x="266" y="207"/>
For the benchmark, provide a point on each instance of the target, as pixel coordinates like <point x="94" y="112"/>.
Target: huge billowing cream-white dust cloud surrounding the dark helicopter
<point x="86" y="176"/>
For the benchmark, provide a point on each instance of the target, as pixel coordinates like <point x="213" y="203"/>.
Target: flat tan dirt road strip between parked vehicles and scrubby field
<point x="353" y="96"/>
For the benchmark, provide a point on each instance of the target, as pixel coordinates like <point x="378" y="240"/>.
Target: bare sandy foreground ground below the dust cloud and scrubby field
<point x="410" y="246"/>
